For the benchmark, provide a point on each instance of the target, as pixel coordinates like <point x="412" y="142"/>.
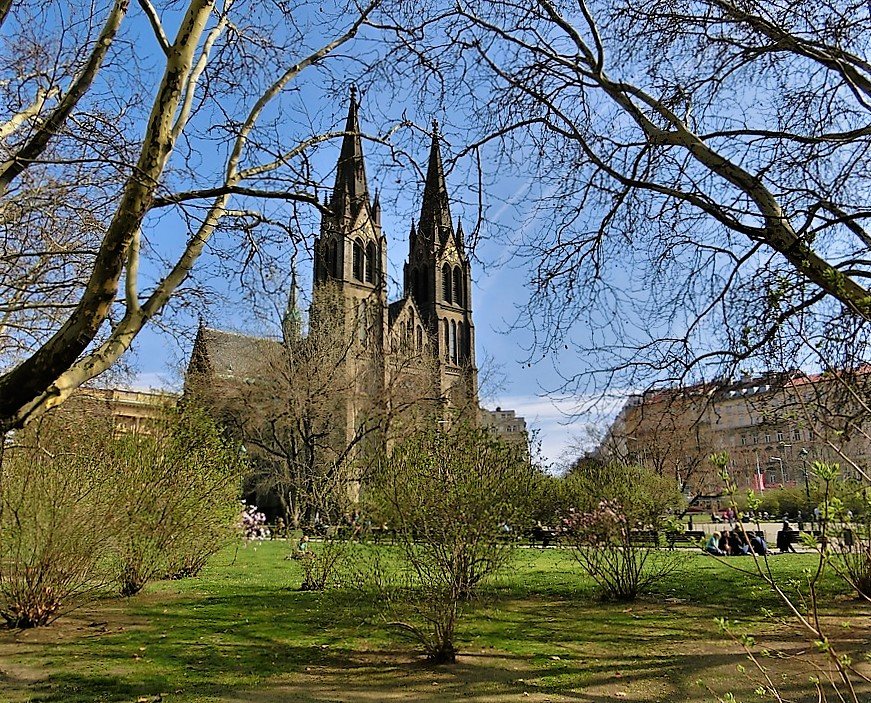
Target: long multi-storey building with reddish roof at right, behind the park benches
<point x="772" y="426"/>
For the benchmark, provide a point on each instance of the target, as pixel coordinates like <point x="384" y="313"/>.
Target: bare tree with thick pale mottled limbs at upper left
<point x="133" y="137"/>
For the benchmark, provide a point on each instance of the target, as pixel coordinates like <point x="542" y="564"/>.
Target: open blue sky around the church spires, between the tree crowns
<point x="562" y="426"/>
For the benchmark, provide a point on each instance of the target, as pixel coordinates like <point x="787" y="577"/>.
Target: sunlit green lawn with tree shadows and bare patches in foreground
<point x="243" y="632"/>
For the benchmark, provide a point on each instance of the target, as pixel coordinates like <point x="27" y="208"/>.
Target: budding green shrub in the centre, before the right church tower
<point x="448" y="495"/>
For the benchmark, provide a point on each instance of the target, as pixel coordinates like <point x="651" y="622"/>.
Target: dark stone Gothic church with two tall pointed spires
<point x="367" y="371"/>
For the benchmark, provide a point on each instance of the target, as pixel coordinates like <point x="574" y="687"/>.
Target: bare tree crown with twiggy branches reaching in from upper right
<point x="699" y="171"/>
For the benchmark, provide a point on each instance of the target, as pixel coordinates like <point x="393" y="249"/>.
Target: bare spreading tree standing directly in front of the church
<point x="315" y="410"/>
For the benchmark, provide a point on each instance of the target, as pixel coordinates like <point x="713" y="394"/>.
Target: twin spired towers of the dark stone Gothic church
<point x="434" y="316"/>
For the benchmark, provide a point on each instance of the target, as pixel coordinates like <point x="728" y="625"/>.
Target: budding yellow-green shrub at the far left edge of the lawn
<point x="56" y="521"/>
